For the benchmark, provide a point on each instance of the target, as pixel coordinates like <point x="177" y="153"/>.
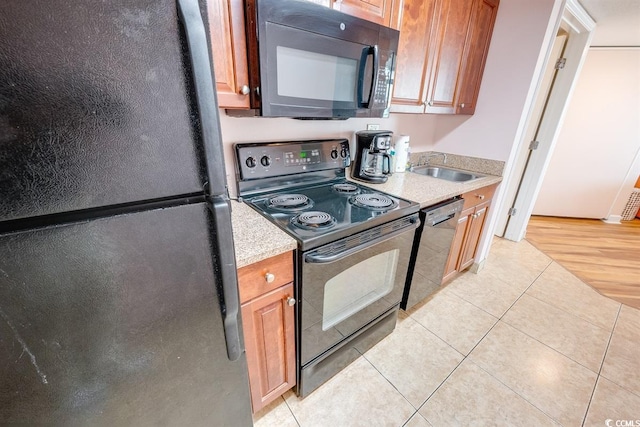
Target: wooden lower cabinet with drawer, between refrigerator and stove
<point x="267" y="297"/>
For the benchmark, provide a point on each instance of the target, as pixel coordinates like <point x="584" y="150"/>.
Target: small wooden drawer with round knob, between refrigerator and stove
<point x="252" y="279"/>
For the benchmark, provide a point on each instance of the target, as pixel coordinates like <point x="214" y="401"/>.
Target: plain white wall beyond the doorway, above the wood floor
<point x="597" y="157"/>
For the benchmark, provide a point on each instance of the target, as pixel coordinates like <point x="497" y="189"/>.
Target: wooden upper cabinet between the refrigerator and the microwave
<point x="229" y="51"/>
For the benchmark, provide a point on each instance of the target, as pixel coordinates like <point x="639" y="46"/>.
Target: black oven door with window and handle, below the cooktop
<point x="350" y="283"/>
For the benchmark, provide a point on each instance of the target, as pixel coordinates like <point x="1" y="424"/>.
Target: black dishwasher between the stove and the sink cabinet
<point x="430" y="250"/>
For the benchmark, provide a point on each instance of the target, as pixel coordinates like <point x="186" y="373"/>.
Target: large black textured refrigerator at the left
<point x="118" y="289"/>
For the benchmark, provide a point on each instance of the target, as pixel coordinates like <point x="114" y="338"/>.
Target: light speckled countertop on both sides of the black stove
<point x="256" y="238"/>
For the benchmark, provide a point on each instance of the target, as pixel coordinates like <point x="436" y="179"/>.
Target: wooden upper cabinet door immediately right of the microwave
<point x="414" y="49"/>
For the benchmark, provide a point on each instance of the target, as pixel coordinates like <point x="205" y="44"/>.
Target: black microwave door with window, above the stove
<point x="308" y="74"/>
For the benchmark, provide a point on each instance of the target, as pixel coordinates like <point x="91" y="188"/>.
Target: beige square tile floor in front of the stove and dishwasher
<point x="522" y="343"/>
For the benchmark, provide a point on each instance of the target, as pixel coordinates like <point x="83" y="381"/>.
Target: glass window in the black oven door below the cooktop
<point x="358" y="286"/>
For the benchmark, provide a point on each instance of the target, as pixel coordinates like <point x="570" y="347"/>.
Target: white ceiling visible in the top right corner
<point x="617" y="22"/>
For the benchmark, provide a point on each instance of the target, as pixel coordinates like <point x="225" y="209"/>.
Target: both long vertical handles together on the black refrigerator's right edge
<point x="212" y="138"/>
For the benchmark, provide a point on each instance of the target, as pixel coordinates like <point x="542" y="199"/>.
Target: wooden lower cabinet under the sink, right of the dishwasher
<point x="468" y="231"/>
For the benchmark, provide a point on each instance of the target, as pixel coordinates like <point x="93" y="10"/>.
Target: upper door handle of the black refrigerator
<point x="207" y="102"/>
